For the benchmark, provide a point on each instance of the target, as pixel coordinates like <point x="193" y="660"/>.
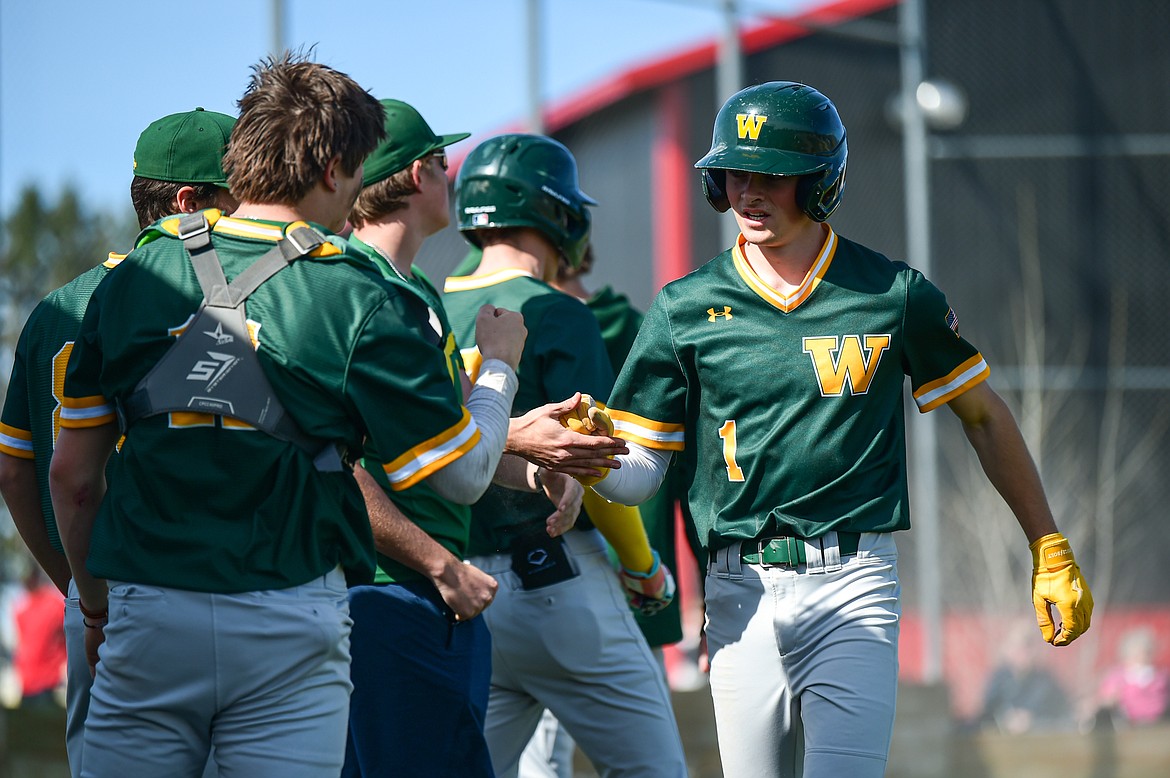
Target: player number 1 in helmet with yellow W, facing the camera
<point x="796" y="456"/>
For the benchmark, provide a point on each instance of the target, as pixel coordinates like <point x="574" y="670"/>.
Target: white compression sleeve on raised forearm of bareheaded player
<point x="465" y="480"/>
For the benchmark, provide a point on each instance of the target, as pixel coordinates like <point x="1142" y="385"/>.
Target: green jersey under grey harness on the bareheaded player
<point x="209" y="504"/>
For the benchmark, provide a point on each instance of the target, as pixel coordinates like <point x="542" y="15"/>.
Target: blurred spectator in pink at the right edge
<point x="1135" y="692"/>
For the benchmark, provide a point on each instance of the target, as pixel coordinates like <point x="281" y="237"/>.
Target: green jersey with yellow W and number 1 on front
<point x="788" y="411"/>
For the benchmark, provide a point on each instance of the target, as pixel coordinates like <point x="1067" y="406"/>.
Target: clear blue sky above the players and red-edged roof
<point x="81" y="80"/>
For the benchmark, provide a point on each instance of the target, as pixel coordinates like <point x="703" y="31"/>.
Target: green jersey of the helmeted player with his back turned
<point x="563" y="354"/>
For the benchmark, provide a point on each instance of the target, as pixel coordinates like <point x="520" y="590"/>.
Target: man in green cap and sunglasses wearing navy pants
<point x="422" y="657"/>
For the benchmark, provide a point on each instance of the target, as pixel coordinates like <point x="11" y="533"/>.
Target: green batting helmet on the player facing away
<point x="525" y="181"/>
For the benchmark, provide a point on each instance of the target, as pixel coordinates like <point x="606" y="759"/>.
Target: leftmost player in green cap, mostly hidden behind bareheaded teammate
<point x="177" y="169"/>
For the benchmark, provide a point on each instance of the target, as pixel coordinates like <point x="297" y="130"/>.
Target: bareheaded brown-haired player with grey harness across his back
<point x="216" y="567"/>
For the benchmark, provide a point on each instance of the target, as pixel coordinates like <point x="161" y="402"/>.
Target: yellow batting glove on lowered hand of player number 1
<point x="1057" y="582"/>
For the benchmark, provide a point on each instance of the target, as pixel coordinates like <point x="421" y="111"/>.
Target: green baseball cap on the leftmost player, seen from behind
<point x="185" y="148"/>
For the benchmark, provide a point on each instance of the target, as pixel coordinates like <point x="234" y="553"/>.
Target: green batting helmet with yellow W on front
<point x="780" y="128"/>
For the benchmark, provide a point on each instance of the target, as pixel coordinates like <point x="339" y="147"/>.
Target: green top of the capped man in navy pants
<point x="446" y="522"/>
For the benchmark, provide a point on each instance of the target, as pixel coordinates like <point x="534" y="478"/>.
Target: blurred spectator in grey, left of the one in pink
<point x="1022" y="696"/>
